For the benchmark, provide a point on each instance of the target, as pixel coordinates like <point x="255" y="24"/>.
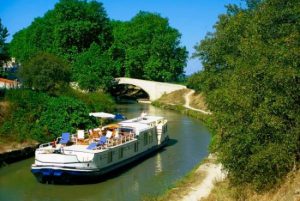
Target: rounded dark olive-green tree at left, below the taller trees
<point x="45" y="72"/>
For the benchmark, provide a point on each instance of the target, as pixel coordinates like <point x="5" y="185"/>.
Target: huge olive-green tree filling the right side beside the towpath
<point x="251" y="81"/>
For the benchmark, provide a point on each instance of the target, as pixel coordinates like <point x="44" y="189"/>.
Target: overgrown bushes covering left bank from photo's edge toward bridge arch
<point x="39" y="117"/>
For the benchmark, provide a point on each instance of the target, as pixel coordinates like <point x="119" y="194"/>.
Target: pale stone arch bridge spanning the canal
<point x="154" y="89"/>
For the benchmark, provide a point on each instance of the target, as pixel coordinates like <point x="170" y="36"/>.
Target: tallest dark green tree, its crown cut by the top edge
<point x="79" y="24"/>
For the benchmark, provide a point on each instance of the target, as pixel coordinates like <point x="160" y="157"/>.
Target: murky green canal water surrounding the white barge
<point x="150" y="177"/>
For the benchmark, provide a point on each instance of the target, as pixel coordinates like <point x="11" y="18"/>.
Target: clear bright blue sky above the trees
<point x="192" y="18"/>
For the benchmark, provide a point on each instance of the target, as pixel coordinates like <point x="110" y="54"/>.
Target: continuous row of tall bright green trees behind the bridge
<point x="98" y="49"/>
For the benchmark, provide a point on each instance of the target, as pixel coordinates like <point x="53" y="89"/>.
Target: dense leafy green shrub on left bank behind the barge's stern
<point x="41" y="117"/>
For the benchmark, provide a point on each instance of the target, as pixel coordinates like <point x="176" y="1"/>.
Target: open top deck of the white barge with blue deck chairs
<point x="100" y="139"/>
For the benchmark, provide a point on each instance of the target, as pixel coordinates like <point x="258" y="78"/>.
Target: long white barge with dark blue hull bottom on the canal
<point x="89" y="155"/>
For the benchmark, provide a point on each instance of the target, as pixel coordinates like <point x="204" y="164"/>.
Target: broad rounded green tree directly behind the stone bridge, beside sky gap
<point x="147" y="47"/>
